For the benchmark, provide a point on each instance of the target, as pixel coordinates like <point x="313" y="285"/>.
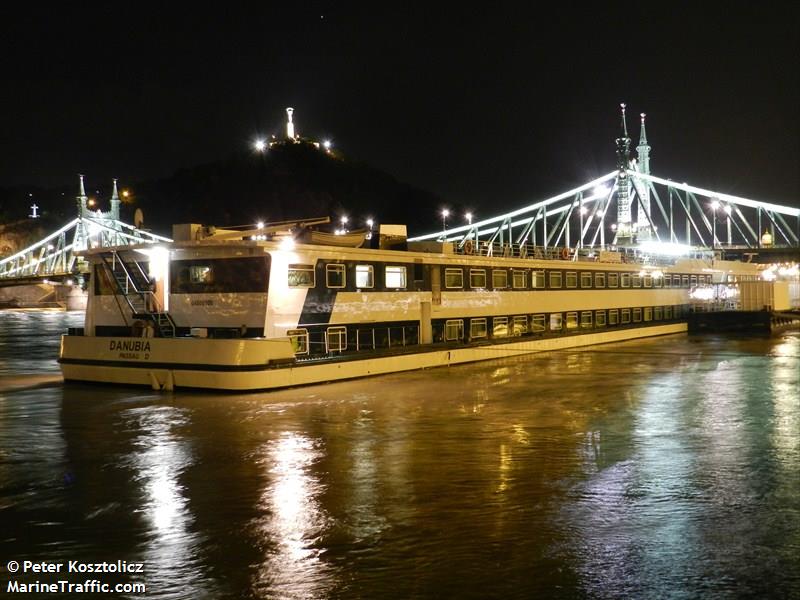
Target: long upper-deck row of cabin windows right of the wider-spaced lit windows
<point x="454" y="279"/>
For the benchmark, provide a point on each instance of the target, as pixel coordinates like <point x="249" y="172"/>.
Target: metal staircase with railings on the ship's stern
<point x="133" y="284"/>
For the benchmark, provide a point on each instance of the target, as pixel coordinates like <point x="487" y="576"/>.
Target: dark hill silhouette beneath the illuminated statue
<point x="286" y="182"/>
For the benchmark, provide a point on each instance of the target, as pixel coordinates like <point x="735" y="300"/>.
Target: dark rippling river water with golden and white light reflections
<point x="664" y="468"/>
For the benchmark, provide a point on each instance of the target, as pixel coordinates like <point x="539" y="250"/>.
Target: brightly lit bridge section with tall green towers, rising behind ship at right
<point x="653" y="214"/>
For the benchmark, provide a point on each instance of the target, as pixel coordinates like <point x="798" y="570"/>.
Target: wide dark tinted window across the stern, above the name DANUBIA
<point x="219" y="275"/>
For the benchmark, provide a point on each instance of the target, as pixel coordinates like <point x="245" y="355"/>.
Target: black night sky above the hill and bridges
<point x="487" y="108"/>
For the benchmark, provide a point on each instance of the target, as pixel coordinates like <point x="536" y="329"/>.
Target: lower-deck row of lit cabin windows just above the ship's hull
<point x="336" y="337"/>
